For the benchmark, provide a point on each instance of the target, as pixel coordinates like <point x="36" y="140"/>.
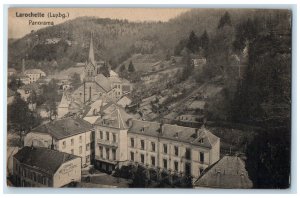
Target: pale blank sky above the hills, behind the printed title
<point x="19" y="26"/>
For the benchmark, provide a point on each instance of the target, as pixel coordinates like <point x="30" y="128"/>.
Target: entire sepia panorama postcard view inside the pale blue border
<point x="188" y="98"/>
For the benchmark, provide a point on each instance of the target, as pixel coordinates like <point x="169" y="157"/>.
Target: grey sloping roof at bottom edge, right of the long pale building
<point x="229" y="172"/>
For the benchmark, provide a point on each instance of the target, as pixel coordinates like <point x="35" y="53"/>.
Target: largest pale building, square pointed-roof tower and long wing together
<point x="168" y="148"/>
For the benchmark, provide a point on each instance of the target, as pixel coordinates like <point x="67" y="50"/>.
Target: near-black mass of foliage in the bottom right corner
<point x="268" y="158"/>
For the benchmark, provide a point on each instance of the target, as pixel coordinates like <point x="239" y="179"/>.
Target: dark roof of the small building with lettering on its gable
<point x="44" y="159"/>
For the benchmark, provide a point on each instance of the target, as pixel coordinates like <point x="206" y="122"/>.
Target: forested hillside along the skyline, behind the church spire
<point x="114" y="40"/>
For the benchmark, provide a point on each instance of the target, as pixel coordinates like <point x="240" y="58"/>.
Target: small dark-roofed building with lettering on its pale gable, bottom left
<point x="42" y="167"/>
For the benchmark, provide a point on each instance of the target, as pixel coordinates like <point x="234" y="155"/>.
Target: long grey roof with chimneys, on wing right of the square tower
<point x="175" y="132"/>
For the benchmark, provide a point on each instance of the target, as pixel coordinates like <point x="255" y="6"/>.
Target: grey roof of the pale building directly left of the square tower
<point x="63" y="128"/>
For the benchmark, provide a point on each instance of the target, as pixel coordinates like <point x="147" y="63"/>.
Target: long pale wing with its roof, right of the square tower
<point x="173" y="149"/>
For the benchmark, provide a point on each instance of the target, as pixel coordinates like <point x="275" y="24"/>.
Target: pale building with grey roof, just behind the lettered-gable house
<point x="69" y="135"/>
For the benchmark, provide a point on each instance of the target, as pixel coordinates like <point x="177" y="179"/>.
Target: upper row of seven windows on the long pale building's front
<point x="165" y="149"/>
